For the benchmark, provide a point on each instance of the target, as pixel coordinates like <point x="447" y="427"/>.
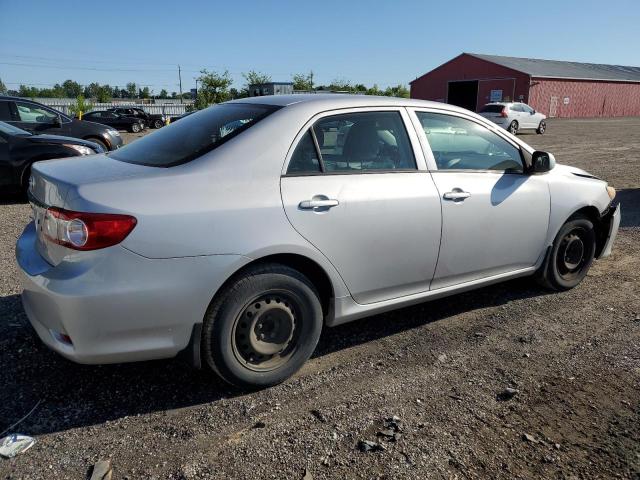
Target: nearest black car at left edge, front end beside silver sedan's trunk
<point x="19" y="149"/>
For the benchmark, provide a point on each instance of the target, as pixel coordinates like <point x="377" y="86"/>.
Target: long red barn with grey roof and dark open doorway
<point x="557" y="89"/>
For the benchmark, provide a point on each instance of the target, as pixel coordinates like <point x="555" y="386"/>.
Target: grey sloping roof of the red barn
<point x="559" y="69"/>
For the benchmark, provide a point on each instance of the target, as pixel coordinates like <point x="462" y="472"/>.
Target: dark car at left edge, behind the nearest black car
<point x="37" y="118"/>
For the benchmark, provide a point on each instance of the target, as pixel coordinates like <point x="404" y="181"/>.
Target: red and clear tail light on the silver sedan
<point x="86" y="231"/>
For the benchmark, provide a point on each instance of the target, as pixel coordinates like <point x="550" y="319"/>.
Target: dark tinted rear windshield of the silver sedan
<point x="193" y="135"/>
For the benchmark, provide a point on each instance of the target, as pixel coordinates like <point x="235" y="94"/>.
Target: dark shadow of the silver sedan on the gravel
<point x="73" y="395"/>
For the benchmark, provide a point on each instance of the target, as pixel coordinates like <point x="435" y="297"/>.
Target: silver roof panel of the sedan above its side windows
<point x="340" y="100"/>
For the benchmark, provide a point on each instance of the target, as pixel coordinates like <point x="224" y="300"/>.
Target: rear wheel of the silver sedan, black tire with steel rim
<point x="268" y="298"/>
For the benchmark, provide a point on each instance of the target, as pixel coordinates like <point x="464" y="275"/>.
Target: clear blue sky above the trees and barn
<point x="384" y="42"/>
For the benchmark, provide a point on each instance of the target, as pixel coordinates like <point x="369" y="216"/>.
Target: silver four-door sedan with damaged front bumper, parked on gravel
<point x="238" y="233"/>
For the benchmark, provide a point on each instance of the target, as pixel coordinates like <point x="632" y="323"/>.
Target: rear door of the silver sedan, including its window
<point x="355" y="186"/>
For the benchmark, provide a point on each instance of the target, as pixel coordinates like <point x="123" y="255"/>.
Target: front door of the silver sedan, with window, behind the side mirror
<point x="494" y="216"/>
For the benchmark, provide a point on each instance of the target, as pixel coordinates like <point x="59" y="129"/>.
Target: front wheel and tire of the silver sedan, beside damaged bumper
<point x="571" y="255"/>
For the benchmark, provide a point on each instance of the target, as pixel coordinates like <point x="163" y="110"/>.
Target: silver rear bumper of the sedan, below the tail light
<point x="115" y="305"/>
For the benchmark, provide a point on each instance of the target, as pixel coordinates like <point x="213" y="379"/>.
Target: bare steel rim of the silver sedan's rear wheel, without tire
<point x="265" y="333"/>
